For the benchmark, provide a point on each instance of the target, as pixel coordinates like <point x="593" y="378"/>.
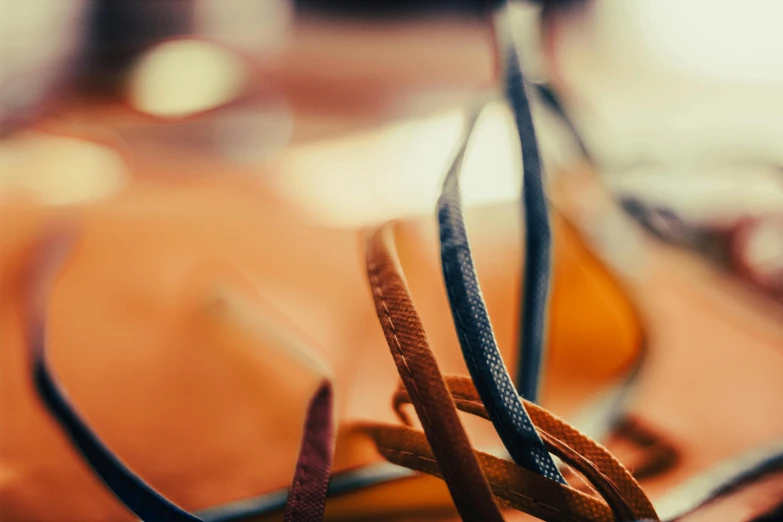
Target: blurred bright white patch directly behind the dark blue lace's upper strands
<point x="398" y="170"/>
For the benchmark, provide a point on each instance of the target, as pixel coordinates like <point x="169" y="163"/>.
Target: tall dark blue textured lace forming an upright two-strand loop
<point x="469" y="311"/>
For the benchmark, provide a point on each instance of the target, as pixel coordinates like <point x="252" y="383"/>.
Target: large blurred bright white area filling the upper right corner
<point x="674" y="81"/>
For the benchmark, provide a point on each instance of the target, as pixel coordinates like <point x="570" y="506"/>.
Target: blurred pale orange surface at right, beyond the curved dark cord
<point x="714" y="376"/>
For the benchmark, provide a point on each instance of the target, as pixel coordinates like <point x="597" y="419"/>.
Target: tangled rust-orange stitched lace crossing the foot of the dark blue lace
<point x="434" y="400"/>
